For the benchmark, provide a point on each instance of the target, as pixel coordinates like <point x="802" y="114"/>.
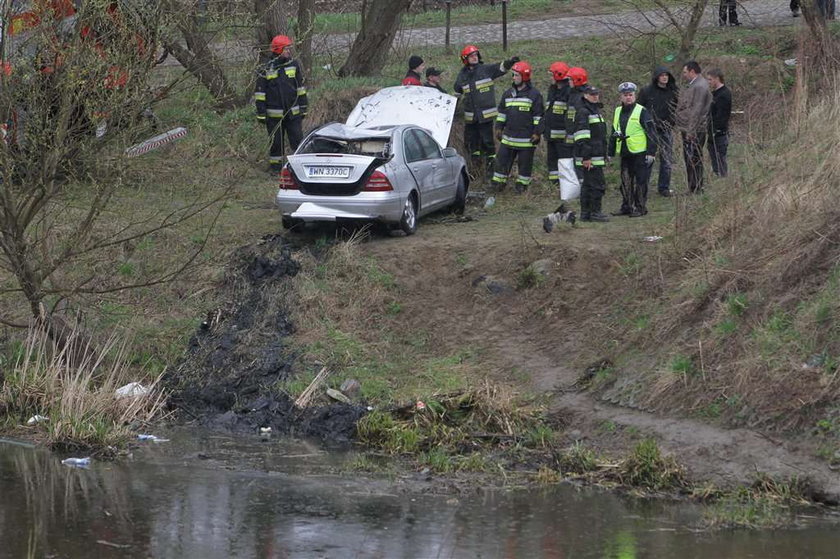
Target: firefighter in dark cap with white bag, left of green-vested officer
<point x="590" y="139"/>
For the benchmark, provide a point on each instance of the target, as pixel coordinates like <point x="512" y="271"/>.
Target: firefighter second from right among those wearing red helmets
<point x="555" y="122"/>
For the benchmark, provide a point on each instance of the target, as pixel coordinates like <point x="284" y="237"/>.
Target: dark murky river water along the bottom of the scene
<point x="196" y="496"/>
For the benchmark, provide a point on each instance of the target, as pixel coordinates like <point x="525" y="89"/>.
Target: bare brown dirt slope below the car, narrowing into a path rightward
<point x="533" y="338"/>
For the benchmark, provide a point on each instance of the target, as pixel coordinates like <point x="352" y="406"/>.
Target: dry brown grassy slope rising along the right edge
<point x="754" y="296"/>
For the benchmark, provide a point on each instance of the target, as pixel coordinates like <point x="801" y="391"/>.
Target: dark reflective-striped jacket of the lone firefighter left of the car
<point x="280" y="92"/>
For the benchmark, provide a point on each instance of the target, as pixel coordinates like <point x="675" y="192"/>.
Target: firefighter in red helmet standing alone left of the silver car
<point x="281" y="101"/>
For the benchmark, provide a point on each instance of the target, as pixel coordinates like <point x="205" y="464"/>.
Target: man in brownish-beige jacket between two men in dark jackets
<point x="692" y="120"/>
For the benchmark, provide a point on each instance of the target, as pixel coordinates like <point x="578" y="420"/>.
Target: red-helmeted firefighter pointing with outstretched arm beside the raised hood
<point x="475" y="83"/>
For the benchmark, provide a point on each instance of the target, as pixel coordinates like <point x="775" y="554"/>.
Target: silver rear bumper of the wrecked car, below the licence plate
<point x="382" y="206"/>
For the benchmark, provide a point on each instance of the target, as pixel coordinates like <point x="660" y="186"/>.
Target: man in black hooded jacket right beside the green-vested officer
<point x="660" y="98"/>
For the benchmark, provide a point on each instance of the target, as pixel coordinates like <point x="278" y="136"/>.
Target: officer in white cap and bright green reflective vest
<point x="634" y="139"/>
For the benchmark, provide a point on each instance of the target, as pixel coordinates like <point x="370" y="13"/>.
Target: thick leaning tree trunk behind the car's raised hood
<point x="370" y="49"/>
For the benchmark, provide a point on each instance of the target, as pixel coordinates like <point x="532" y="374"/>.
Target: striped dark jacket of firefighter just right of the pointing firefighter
<point x="520" y="116"/>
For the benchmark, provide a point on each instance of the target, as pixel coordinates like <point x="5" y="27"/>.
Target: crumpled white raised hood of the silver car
<point x="407" y="104"/>
